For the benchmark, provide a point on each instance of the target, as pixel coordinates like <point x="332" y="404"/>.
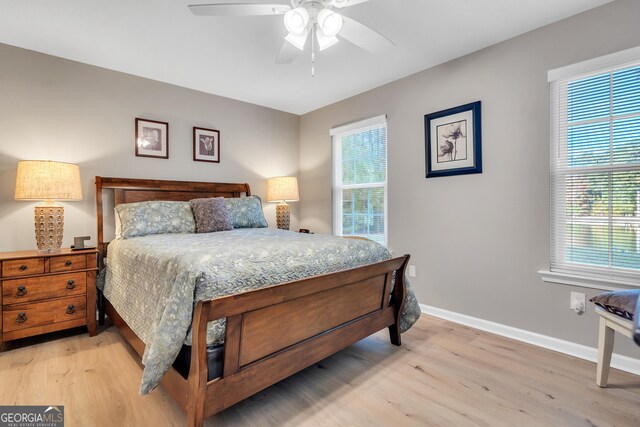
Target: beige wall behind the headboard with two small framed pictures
<point x="55" y="109"/>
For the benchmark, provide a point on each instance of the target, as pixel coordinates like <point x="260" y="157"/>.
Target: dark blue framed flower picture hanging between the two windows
<point x="453" y="141"/>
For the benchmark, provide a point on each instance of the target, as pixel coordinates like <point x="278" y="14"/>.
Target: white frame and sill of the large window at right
<point x="607" y="278"/>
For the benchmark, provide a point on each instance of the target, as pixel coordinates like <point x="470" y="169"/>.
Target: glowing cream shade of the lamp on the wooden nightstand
<point x="47" y="180"/>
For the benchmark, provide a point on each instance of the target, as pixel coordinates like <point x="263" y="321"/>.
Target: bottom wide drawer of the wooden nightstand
<point x="22" y="316"/>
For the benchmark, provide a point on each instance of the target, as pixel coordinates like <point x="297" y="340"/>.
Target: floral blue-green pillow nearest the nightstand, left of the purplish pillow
<point x="155" y="217"/>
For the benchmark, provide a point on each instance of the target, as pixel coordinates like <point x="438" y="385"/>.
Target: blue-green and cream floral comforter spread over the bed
<point x="154" y="281"/>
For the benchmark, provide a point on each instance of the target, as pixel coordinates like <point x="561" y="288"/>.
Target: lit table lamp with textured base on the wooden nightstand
<point x="49" y="182"/>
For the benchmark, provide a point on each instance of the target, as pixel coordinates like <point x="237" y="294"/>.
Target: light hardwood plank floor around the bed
<point x="445" y="374"/>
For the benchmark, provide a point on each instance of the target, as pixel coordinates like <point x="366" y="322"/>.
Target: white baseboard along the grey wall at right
<point x="624" y="363"/>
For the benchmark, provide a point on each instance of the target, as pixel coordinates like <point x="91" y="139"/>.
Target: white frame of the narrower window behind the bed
<point x="337" y="188"/>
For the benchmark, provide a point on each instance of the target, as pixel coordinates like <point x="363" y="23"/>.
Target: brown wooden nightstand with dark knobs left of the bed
<point x="47" y="292"/>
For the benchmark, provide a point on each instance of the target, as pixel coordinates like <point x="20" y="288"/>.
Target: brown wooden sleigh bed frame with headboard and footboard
<point x="254" y="357"/>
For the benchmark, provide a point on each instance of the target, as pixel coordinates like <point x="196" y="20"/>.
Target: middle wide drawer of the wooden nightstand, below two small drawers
<point x="17" y="291"/>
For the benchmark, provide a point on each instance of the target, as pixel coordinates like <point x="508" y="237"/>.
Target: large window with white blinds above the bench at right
<point x="595" y="167"/>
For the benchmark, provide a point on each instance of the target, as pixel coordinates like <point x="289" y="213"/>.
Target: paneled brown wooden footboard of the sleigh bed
<point x="275" y="332"/>
